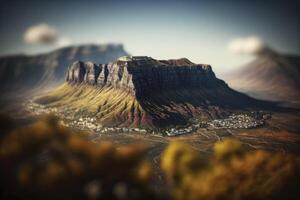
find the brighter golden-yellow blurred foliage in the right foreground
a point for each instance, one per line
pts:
(230, 173)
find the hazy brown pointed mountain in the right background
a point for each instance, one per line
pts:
(271, 76)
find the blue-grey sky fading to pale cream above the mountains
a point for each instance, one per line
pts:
(198, 30)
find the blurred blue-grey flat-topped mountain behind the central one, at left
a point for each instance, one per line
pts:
(21, 73)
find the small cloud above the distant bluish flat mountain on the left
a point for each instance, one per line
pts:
(40, 34)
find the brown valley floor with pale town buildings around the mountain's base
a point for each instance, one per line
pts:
(279, 131)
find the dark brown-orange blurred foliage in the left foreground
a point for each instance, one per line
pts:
(47, 161)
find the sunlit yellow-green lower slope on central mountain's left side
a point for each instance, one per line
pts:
(111, 107)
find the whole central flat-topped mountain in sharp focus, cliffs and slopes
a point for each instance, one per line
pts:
(144, 92)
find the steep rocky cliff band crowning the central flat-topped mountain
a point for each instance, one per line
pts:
(145, 76)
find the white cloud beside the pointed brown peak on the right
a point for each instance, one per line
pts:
(247, 45)
